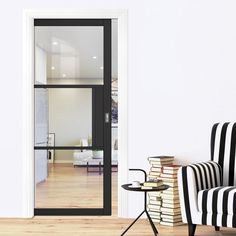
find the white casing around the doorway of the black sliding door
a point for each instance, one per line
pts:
(28, 99)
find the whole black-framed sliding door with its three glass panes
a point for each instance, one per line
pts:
(72, 116)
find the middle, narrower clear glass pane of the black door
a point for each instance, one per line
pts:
(65, 114)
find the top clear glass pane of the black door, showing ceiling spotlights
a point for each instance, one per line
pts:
(69, 54)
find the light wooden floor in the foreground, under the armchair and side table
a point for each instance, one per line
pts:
(99, 226)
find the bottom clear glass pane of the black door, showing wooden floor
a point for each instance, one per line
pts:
(63, 185)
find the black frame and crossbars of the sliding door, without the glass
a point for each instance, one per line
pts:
(106, 210)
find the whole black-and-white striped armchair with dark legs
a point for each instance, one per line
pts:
(208, 190)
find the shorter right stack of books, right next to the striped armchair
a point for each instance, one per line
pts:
(170, 208)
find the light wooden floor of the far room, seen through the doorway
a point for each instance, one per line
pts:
(69, 187)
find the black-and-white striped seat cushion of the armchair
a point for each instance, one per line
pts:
(219, 200)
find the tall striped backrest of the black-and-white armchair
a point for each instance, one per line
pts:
(223, 144)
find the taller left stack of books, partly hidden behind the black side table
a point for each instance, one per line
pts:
(155, 200)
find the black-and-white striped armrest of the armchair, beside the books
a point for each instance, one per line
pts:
(191, 180)
